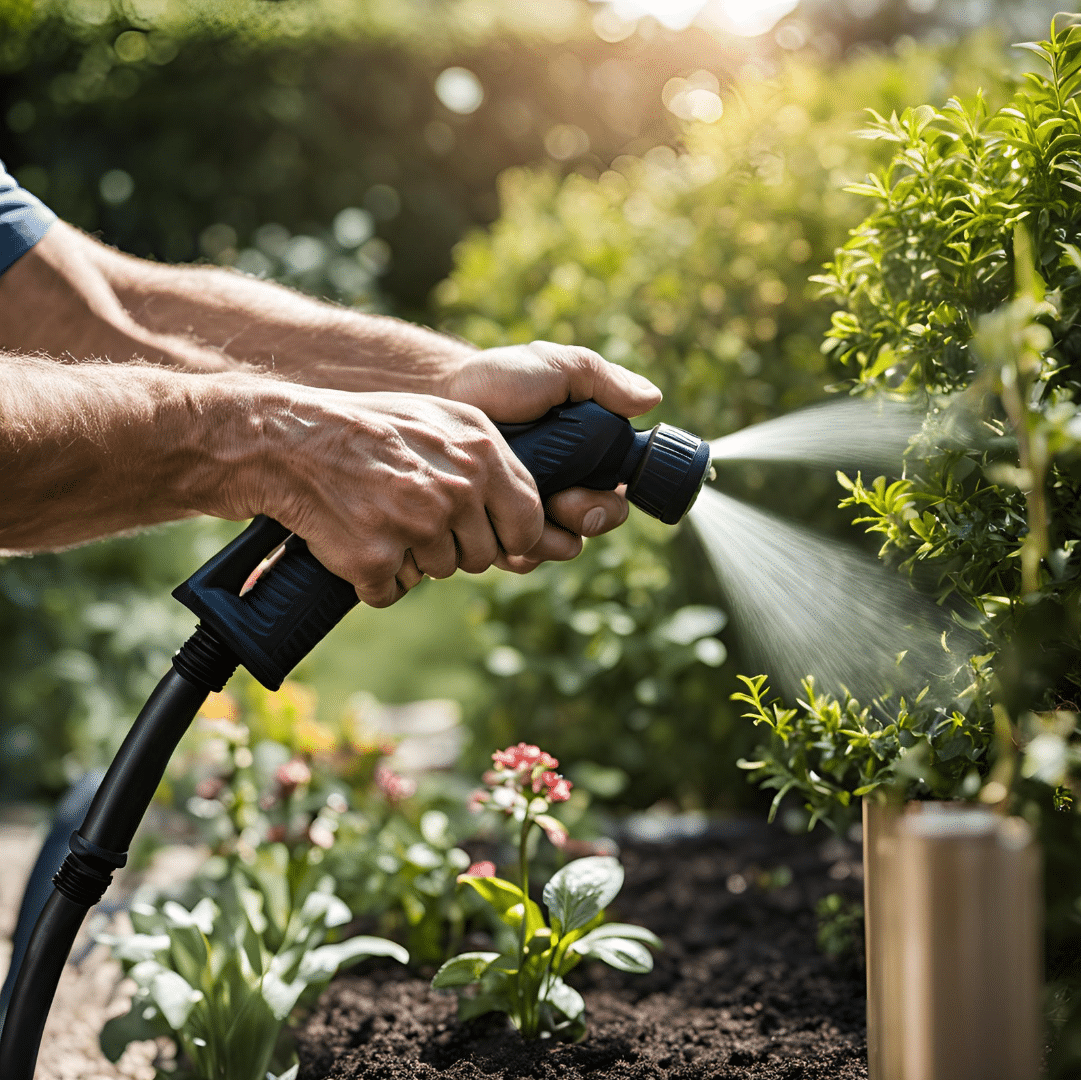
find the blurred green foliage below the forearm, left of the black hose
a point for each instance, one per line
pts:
(84, 638)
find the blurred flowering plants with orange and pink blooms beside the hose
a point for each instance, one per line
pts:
(260, 768)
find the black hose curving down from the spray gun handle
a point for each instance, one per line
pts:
(100, 847)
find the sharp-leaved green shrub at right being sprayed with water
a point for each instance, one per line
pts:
(966, 276)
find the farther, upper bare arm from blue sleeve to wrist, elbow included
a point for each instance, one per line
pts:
(76, 298)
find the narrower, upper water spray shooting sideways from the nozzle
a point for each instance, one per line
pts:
(845, 434)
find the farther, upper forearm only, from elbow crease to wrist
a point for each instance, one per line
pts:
(274, 328)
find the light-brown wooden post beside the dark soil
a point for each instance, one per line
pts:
(954, 941)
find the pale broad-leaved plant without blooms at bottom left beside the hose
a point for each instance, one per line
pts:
(222, 979)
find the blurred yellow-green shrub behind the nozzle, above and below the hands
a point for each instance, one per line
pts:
(692, 269)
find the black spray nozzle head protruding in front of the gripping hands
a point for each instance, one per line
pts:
(582, 445)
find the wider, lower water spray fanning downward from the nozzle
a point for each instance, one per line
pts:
(805, 605)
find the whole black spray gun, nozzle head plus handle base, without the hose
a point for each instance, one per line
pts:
(299, 602)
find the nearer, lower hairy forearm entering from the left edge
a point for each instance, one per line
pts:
(92, 450)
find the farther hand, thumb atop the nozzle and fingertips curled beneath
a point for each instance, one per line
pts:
(522, 383)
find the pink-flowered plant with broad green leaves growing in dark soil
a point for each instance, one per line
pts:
(526, 979)
